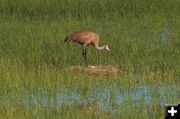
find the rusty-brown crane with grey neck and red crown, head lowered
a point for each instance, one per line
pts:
(86, 38)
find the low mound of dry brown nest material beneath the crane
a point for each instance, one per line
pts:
(98, 69)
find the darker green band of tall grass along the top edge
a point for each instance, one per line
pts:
(85, 8)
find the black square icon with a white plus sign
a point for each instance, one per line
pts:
(172, 111)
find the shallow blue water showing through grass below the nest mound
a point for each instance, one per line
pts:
(104, 97)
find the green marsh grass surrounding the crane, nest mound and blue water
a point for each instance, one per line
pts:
(145, 40)
